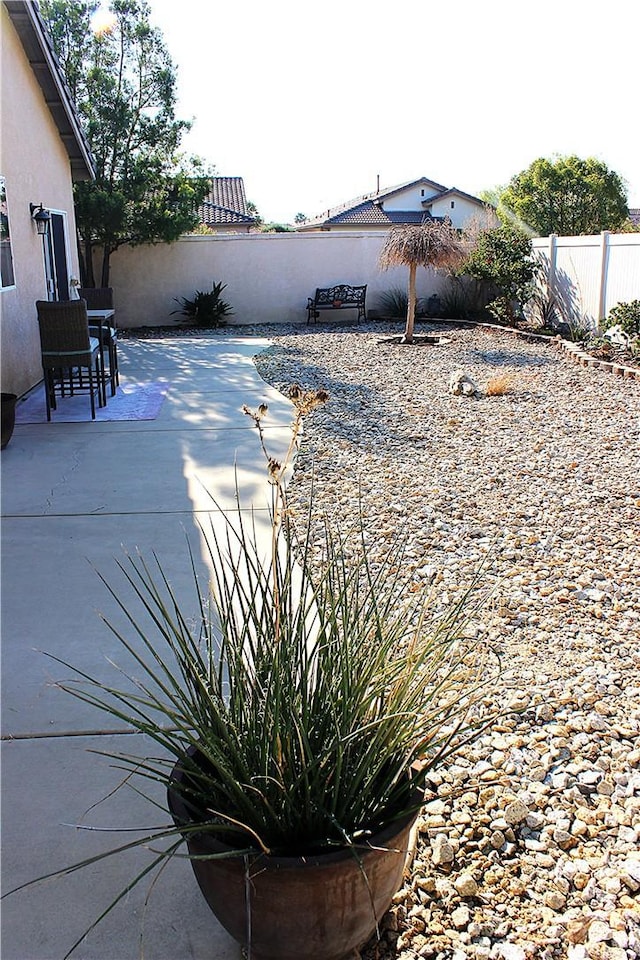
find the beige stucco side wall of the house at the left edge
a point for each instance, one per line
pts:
(36, 168)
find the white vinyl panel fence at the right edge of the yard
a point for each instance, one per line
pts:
(587, 276)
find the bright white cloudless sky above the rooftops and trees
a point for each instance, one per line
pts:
(312, 102)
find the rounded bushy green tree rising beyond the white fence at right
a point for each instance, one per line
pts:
(567, 196)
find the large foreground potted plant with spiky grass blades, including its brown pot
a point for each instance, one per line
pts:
(298, 719)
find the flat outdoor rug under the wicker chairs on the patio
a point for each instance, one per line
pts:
(133, 401)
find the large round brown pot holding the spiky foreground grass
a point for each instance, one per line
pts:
(319, 907)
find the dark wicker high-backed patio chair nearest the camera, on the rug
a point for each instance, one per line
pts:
(68, 351)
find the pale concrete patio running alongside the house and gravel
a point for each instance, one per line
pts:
(75, 496)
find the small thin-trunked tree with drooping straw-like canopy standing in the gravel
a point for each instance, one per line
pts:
(434, 243)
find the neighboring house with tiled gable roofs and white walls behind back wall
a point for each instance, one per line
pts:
(407, 203)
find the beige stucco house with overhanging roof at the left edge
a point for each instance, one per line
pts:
(42, 151)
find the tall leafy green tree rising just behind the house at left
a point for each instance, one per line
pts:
(124, 86)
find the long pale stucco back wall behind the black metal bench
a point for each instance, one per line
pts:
(268, 276)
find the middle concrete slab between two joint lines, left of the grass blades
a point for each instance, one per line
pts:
(65, 618)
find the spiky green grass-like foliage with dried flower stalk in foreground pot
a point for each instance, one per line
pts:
(316, 687)
